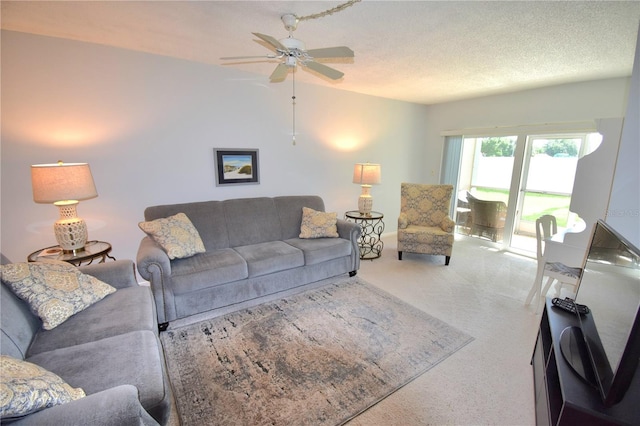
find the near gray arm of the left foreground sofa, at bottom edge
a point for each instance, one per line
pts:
(118, 406)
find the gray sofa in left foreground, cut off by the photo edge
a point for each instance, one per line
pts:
(111, 350)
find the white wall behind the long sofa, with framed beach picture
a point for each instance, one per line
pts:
(148, 124)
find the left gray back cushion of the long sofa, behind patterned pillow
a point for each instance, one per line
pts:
(207, 216)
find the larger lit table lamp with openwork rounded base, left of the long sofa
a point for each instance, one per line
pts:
(64, 185)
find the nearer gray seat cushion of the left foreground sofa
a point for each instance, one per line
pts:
(133, 358)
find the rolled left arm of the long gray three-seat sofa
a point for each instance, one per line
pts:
(154, 266)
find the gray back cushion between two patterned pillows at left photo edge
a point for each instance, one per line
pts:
(19, 325)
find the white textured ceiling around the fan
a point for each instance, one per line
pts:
(418, 51)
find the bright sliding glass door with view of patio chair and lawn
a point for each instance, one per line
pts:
(514, 179)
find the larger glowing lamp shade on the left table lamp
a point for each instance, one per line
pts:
(61, 182)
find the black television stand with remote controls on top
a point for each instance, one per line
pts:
(562, 397)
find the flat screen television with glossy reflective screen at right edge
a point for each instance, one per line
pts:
(610, 287)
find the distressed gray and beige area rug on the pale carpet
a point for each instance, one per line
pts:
(316, 358)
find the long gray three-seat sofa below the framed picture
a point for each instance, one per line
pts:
(253, 250)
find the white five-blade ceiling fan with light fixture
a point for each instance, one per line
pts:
(293, 52)
